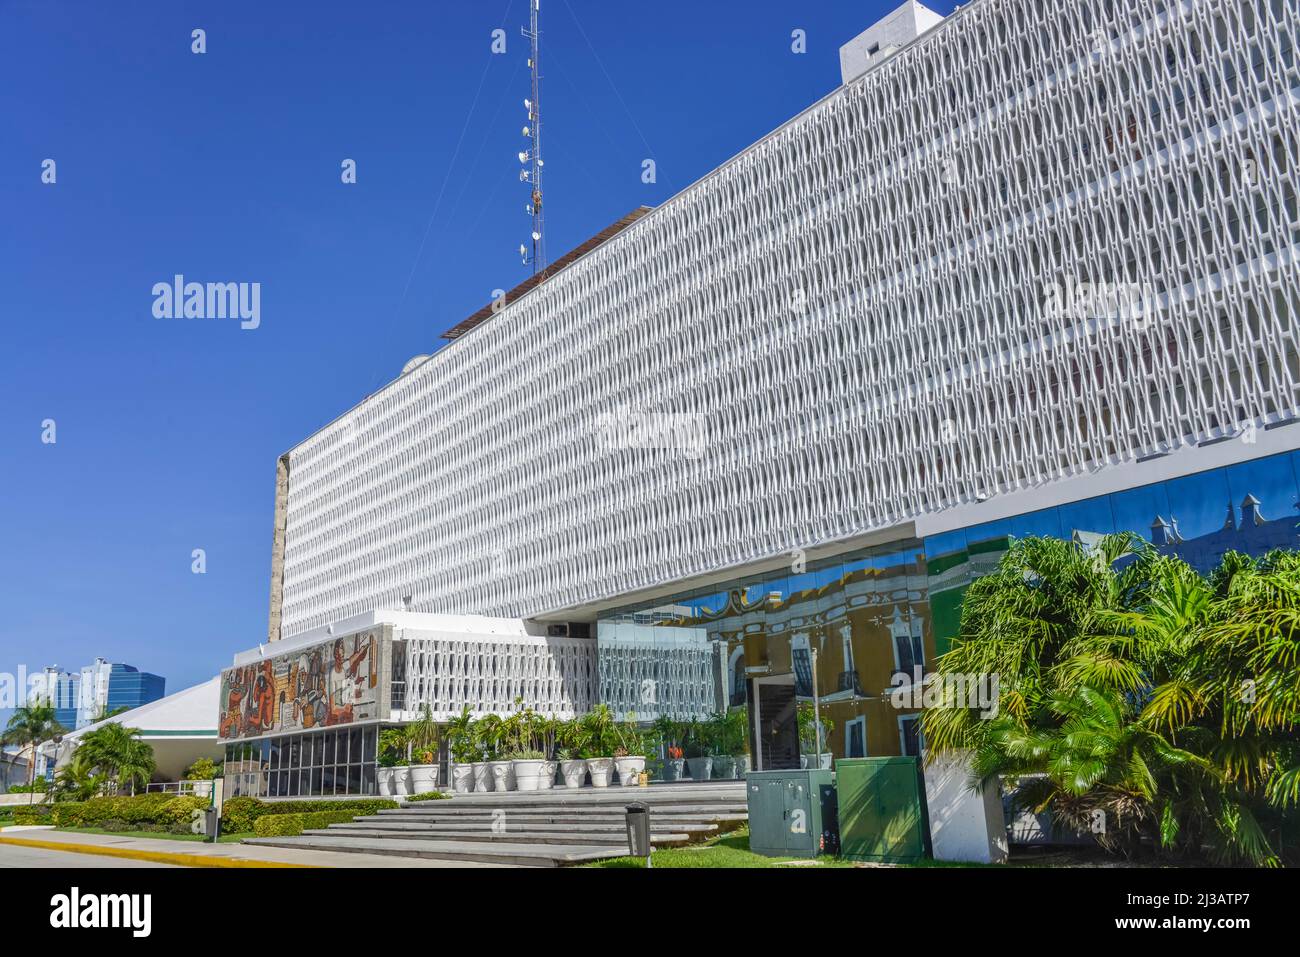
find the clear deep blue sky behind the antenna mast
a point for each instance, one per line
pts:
(226, 167)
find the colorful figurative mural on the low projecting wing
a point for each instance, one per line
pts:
(318, 687)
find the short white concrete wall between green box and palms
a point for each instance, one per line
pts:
(964, 825)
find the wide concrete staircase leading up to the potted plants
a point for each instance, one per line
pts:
(543, 829)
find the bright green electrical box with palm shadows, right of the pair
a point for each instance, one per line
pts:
(882, 811)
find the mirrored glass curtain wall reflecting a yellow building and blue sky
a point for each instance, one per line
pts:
(879, 618)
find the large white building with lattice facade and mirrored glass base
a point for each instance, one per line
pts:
(1032, 270)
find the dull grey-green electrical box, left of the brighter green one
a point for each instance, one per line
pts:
(786, 812)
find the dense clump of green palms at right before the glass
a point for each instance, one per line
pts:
(1133, 686)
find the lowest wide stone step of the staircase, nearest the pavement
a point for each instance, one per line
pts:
(486, 852)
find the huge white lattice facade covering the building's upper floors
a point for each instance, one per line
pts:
(857, 311)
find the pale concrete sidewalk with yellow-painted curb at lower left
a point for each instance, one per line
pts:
(197, 855)
